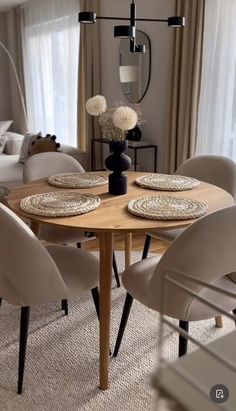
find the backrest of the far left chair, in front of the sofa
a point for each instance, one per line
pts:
(45, 164)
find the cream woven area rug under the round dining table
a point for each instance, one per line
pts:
(62, 357)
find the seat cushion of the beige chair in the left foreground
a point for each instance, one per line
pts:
(79, 269)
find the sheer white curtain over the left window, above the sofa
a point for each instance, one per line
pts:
(51, 53)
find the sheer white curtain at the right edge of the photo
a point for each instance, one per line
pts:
(217, 105)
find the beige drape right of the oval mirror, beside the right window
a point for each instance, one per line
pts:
(185, 78)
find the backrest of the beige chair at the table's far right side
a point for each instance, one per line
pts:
(217, 170)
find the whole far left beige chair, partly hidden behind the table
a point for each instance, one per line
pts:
(46, 164)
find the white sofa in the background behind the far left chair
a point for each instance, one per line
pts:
(11, 171)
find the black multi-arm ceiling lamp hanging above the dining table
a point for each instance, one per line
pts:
(128, 31)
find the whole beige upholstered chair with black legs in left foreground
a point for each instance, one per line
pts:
(31, 274)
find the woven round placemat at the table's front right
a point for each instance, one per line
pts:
(167, 207)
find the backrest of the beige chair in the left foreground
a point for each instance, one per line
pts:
(28, 274)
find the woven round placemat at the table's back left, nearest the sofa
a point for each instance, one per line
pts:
(77, 180)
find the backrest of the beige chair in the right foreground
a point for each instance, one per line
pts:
(205, 250)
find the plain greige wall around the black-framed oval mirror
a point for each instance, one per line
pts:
(154, 103)
